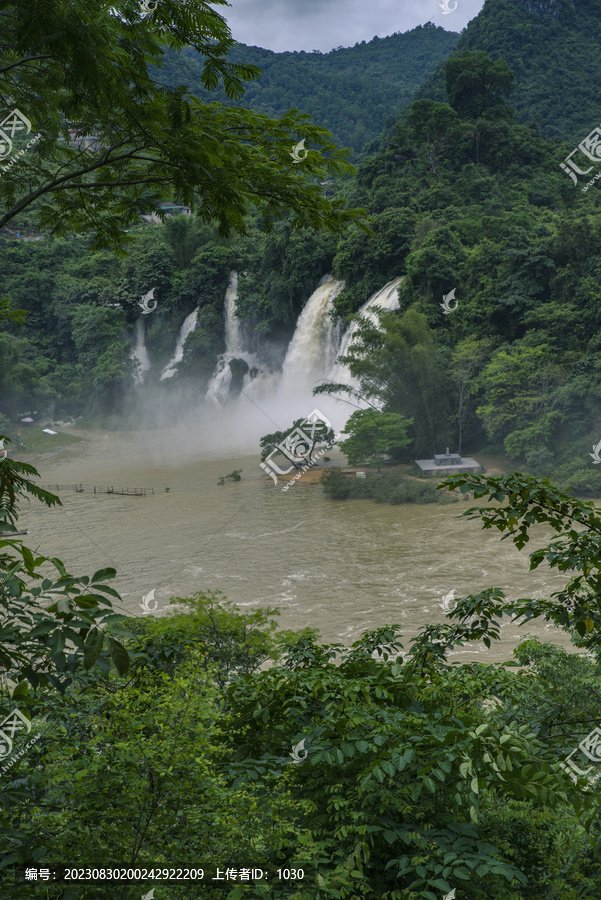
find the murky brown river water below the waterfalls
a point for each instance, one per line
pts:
(340, 566)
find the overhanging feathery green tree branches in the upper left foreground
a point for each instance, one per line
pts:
(113, 143)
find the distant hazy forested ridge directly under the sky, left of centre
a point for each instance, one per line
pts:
(351, 91)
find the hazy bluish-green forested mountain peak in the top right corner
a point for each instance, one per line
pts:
(554, 49)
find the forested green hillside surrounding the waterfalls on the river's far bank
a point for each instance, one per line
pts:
(462, 197)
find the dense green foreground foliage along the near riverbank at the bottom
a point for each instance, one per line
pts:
(405, 781)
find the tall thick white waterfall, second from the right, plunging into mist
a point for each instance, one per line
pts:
(313, 349)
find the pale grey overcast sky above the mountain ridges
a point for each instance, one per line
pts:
(326, 24)
